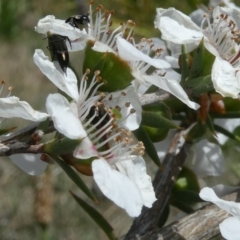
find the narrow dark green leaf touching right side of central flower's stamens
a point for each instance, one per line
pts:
(142, 135)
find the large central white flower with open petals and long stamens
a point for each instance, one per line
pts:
(102, 122)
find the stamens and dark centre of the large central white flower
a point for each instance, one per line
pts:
(101, 123)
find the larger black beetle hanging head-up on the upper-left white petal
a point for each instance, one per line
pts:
(58, 46)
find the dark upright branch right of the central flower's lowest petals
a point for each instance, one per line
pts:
(163, 183)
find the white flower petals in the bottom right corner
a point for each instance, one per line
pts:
(230, 227)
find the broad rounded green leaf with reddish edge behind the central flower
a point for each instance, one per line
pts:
(115, 72)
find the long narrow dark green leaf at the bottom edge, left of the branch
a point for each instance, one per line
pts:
(96, 216)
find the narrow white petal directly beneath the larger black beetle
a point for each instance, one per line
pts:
(65, 82)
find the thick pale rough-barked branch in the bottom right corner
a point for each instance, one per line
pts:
(202, 224)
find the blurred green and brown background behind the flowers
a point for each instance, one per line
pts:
(20, 194)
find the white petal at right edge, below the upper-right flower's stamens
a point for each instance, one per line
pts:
(226, 80)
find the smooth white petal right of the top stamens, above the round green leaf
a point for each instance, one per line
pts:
(130, 53)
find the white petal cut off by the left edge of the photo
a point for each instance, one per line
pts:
(12, 107)
